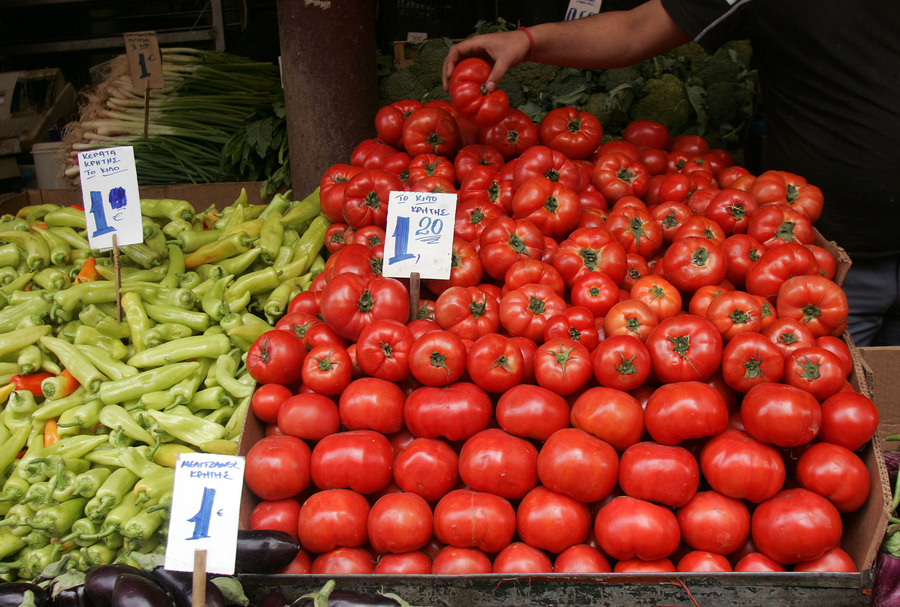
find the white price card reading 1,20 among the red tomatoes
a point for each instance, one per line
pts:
(419, 234)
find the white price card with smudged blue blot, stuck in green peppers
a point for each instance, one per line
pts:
(112, 200)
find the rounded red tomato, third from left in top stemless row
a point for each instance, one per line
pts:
(371, 403)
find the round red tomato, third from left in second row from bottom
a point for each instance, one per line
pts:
(399, 522)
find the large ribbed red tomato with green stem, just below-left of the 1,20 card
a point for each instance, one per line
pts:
(351, 302)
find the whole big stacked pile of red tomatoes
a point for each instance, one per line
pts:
(635, 364)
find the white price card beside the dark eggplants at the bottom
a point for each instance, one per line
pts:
(205, 507)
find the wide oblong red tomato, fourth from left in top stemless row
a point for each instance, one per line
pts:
(455, 412)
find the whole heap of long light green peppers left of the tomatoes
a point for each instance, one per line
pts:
(99, 396)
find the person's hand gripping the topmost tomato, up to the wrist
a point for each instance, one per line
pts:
(501, 49)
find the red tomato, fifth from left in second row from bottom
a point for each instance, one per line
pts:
(552, 521)
